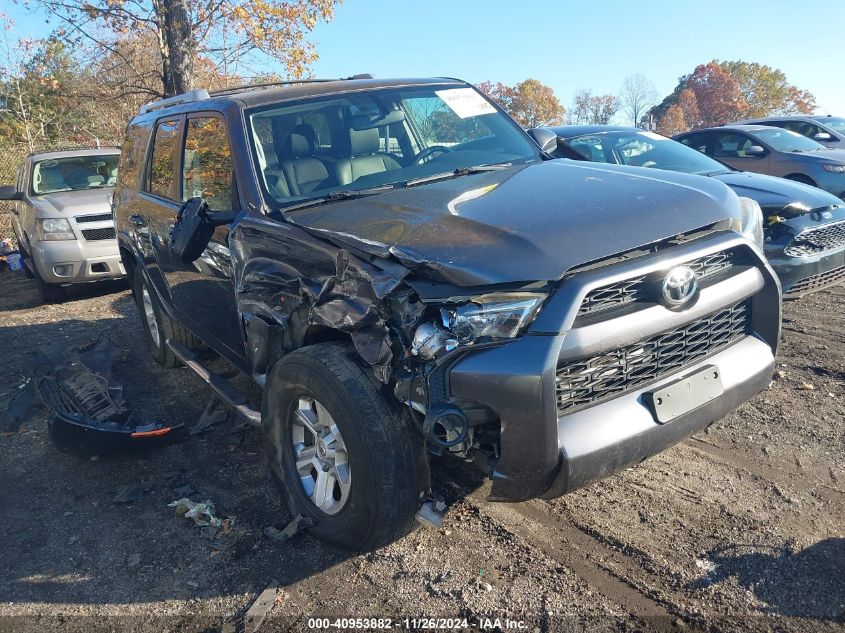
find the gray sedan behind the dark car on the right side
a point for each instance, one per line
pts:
(773, 151)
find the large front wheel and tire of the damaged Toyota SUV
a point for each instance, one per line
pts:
(341, 454)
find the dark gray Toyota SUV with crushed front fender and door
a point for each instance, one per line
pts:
(404, 271)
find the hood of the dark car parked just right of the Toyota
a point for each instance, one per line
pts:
(779, 195)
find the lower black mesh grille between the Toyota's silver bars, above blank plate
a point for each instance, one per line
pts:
(582, 383)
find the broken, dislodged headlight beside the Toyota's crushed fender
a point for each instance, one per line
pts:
(491, 317)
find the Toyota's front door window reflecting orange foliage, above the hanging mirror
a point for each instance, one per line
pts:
(207, 170)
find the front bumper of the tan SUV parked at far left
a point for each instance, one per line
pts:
(77, 261)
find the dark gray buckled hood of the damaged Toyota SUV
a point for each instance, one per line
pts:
(524, 224)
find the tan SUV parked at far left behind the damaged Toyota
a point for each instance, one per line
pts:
(62, 218)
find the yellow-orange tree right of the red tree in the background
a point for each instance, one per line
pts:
(766, 91)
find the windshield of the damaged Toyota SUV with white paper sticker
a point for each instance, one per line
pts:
(309, 149)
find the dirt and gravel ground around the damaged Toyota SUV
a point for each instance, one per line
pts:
(739, 528)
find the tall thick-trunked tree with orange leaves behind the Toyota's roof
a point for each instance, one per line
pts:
(225, 32)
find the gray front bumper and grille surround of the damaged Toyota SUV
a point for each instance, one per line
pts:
(544, 454)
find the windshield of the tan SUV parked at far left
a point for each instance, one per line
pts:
(74, 173)
